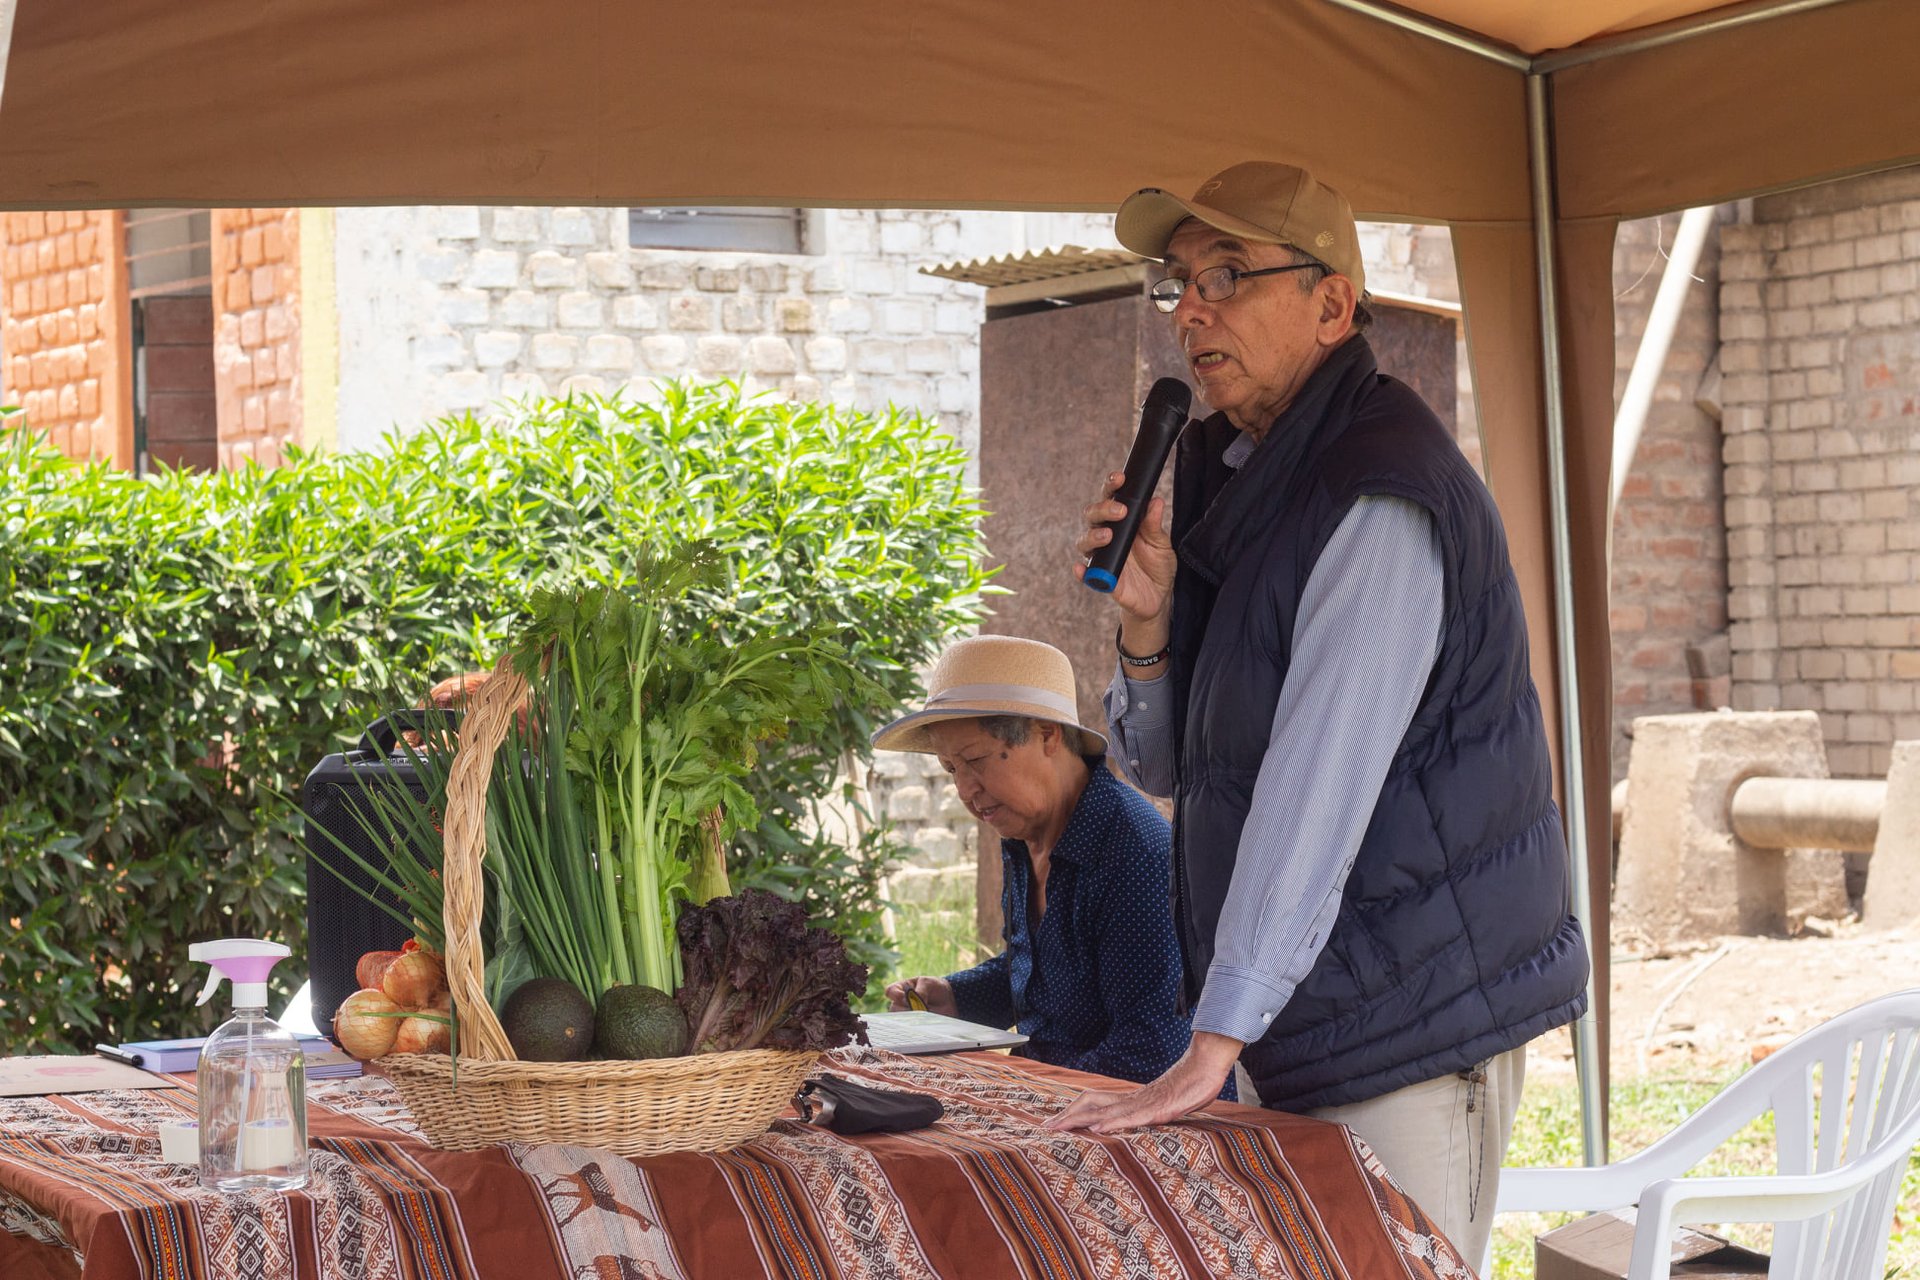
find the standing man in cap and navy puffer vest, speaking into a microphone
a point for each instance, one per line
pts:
(1324, 661)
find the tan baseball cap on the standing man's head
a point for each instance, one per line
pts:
(1257, 201)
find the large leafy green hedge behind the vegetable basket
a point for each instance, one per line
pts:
(178, 653)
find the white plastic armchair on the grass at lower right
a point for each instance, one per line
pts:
(1846, 1101)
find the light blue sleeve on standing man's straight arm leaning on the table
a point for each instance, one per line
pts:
(1366, 640)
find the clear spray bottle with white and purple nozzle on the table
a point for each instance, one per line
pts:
(252, 1079)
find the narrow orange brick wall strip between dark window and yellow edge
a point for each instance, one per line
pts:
(256, 333)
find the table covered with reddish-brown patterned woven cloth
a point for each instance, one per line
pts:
(980, 1197)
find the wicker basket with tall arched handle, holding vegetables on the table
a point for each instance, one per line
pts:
(702, 1102)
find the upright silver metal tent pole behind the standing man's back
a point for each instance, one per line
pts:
(1547, 249)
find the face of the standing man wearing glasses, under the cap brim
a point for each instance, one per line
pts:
(1251, 354)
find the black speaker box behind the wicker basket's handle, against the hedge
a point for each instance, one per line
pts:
(343, 924)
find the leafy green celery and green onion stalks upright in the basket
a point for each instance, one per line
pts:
(646, 721)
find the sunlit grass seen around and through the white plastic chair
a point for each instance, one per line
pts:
(1547, 1133)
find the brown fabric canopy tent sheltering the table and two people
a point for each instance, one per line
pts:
(1529, 126)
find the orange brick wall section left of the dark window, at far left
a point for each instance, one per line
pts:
(64, 331)
